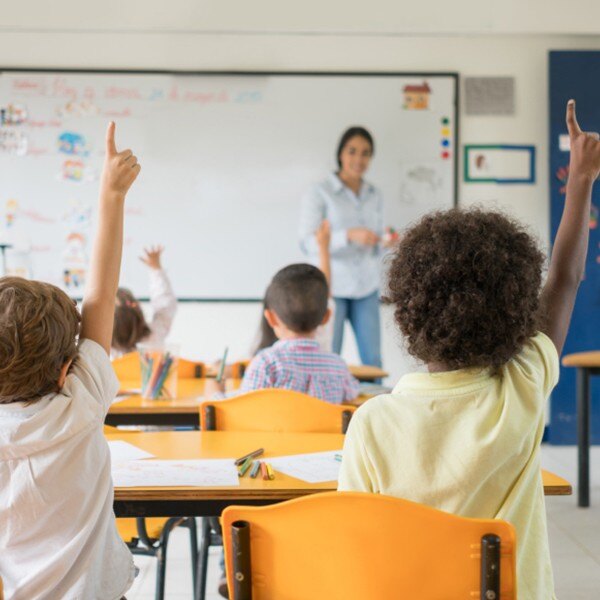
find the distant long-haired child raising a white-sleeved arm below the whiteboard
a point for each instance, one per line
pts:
(130, 327)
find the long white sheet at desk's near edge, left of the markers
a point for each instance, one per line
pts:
(176, 473)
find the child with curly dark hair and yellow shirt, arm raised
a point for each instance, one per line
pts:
(465, 436)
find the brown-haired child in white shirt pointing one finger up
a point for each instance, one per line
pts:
(58, 537)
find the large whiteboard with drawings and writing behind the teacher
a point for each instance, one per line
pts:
(226, 160)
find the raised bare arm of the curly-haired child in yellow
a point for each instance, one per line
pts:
(567, 265)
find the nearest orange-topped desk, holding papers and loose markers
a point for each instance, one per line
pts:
(205, 501)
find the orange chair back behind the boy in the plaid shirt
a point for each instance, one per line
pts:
(276, 411)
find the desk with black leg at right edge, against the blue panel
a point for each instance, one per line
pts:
(587, 364)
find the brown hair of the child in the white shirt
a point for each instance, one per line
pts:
(39, 325)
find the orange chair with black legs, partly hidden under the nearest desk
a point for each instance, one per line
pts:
(150, 536)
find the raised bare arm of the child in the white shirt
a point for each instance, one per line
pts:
(120, 171)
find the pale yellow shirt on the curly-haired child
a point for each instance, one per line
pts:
(467, 443)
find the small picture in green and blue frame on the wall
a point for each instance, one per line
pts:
(496, 163)
